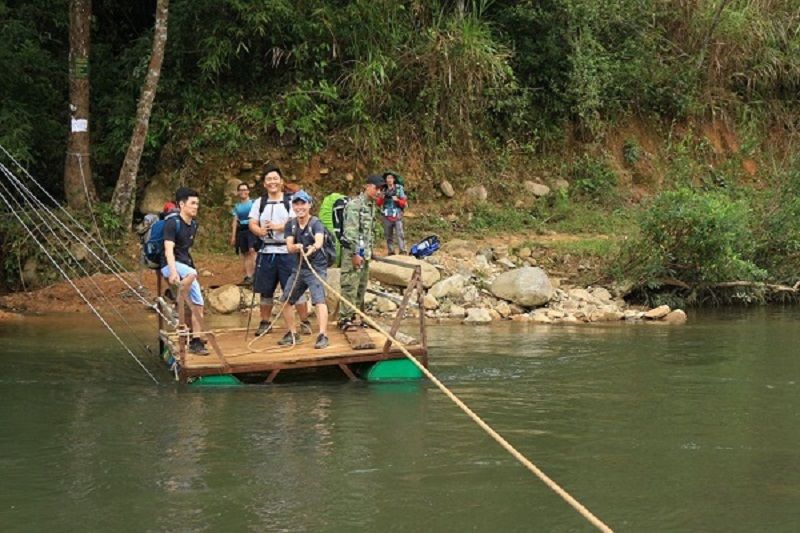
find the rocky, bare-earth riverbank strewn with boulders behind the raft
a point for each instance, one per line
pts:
(474, 282)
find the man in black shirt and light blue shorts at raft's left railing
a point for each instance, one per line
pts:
(177, 265)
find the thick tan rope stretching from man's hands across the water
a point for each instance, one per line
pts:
(599, 524)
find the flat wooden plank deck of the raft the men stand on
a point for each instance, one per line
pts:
(235, 355)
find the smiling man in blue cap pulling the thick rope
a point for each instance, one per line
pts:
(305, 235)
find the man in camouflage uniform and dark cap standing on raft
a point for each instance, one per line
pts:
(359, 223)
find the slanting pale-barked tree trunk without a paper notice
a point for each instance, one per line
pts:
(125, 192)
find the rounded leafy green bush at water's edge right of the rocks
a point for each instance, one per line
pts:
(697, 237)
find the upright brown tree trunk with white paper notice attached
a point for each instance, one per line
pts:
(78, 185)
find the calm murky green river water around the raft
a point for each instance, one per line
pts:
(653, 428)
